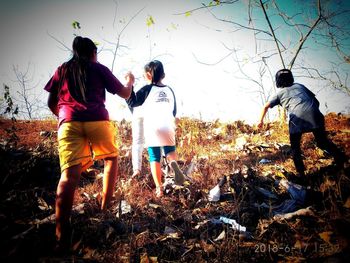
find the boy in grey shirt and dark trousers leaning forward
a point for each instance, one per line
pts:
(304, 116)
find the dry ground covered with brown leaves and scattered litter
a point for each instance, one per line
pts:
(274, 219)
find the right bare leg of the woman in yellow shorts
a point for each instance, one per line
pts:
(109, 181)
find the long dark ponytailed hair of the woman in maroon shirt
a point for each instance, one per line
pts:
(75, 70)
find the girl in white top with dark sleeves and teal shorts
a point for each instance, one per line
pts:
(159, 111)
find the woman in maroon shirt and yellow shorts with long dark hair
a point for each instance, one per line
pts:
(77, 97)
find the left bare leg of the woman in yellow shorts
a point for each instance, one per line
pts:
(64, 199)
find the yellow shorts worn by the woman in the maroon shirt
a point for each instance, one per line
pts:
(82, 142)
